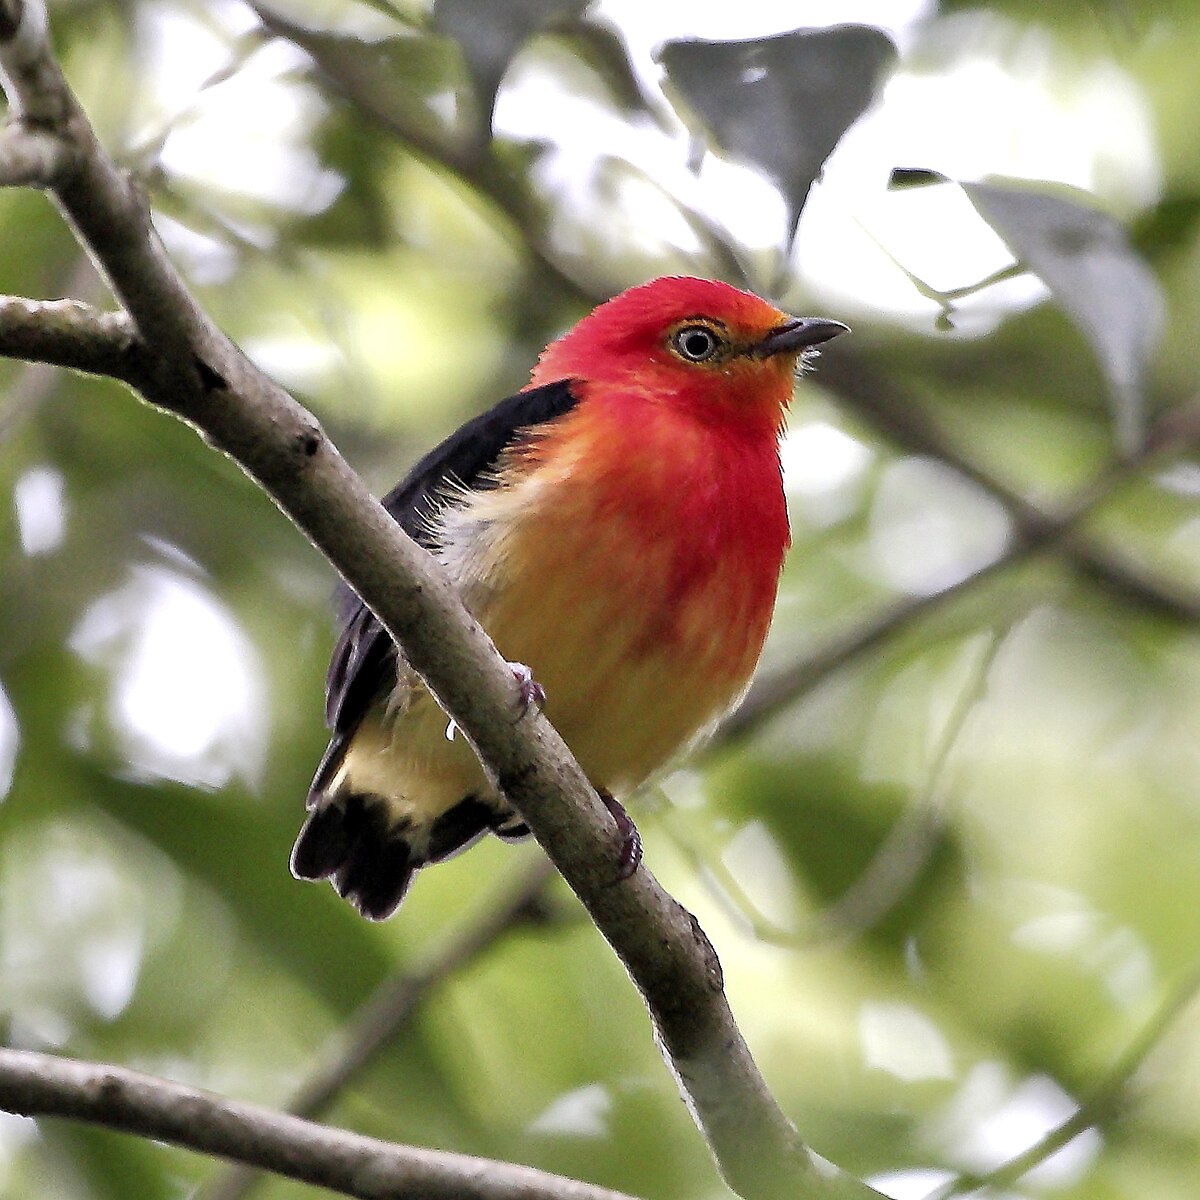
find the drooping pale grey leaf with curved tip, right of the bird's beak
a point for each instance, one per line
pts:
(1085, 259)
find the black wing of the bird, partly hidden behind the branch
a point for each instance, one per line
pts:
(365, 656)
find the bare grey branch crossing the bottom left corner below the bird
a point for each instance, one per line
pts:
(43, 1085)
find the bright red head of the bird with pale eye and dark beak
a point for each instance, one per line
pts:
(689, 341)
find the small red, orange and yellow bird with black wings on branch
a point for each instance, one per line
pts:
(619, 529)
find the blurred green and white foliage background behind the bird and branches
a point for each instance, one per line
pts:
(1016, 769)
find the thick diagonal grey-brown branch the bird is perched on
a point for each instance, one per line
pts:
(195, 373)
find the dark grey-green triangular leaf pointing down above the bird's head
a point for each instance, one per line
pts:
(782, 104)
